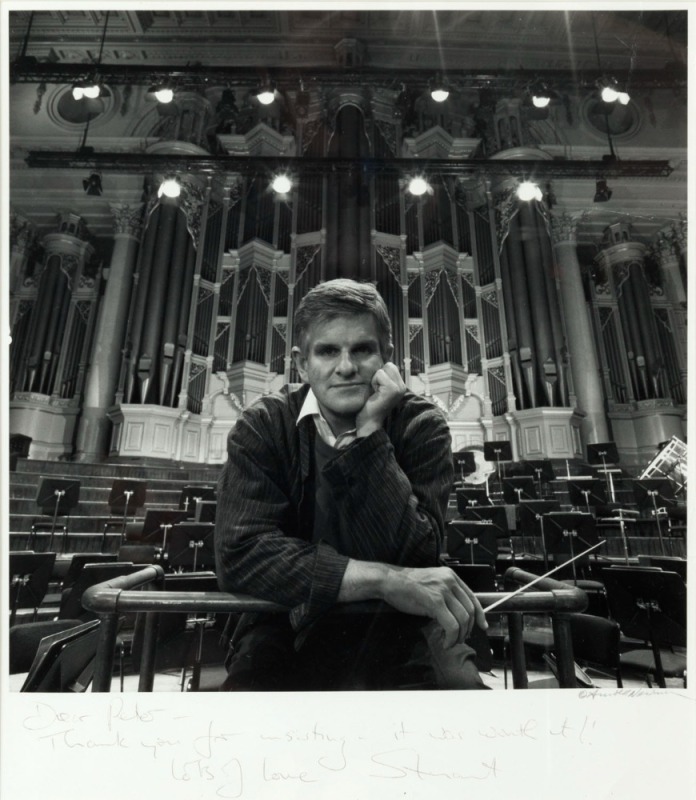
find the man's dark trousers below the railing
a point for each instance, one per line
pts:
(349, 653)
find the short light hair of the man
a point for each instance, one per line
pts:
(339, 298)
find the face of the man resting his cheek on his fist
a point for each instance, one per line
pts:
(338, 361)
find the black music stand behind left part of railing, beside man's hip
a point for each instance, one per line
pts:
(192, 643)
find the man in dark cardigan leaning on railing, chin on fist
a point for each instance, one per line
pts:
(334, 494)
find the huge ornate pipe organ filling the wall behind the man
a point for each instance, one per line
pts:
(482, 293)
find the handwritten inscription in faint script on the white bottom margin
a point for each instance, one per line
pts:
(222, 760)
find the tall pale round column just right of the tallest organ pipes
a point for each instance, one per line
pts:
(581, 347)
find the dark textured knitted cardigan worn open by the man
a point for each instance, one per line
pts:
(391, 488)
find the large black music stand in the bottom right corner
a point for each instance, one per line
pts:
(649, 604)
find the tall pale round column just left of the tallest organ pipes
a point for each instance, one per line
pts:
(102, 377)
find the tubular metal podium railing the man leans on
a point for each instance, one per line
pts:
(127, 595)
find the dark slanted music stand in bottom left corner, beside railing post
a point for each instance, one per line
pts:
(64, 661)
